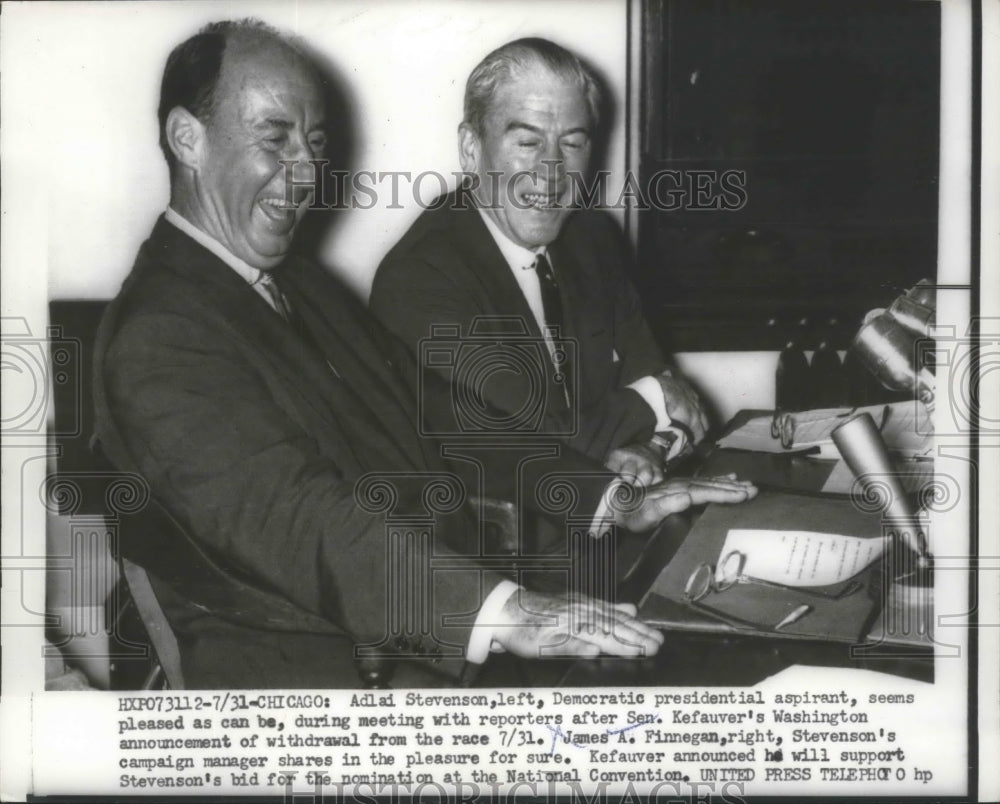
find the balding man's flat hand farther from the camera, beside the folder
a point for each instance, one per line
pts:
(679, 494)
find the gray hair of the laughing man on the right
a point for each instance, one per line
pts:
(512, 59)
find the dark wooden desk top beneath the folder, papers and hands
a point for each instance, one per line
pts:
(694, 659)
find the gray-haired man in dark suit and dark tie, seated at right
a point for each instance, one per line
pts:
(512, 246)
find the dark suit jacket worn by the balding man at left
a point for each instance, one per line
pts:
(253, 446)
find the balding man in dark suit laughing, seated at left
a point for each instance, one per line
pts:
(259, 415)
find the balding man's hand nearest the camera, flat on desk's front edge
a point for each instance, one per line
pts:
(536, 625)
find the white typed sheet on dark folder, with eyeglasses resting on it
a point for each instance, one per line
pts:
(801, 557)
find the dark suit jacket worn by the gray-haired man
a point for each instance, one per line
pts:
(447, 269)
